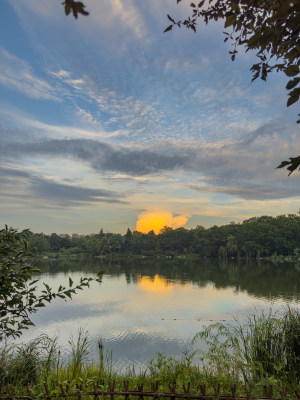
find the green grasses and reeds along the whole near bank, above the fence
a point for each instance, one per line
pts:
(264, 350)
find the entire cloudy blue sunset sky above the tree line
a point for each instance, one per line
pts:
(106, 121)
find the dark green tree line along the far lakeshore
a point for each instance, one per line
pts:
(256, 237)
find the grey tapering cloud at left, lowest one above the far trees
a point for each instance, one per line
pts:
(51, 193)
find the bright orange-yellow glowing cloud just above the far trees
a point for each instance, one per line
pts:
(157, 220)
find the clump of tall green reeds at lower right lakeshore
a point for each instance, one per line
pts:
(264, 349)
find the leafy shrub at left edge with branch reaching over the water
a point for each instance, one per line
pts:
(19, 297)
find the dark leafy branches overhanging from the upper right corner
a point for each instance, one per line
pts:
(269, 27)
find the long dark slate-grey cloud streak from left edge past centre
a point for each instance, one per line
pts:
(100, 156)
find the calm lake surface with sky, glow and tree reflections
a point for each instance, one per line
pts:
(148, 307)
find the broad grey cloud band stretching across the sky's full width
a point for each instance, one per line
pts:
(244, 168)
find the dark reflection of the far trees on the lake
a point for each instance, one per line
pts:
(263, 279)
